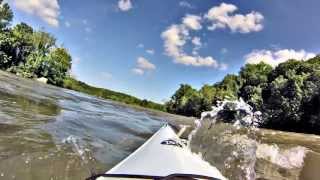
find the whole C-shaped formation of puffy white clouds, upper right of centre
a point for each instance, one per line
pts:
(177, 36)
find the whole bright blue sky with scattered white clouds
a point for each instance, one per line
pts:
(146, 48)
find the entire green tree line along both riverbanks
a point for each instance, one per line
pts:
(287, 95)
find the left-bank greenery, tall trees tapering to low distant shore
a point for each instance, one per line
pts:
(35, 54)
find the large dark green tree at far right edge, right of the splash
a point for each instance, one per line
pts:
(291, 99)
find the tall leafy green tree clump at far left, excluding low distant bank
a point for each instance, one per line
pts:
(31, 53)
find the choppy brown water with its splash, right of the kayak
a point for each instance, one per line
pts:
(242, 151)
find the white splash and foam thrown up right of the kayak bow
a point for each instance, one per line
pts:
(241, 151)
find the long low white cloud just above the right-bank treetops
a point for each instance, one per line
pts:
(276, 57)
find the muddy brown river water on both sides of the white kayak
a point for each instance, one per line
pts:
(52, 133)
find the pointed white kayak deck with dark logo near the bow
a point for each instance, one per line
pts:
(163, 155)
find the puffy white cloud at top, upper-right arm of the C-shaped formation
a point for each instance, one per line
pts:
(222, 17)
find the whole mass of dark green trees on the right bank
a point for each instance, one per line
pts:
(288, 95)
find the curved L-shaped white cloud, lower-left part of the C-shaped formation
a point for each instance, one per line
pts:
(175, 37)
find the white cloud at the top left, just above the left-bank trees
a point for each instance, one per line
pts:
(47, 10)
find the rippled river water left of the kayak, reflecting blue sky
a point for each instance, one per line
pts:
(52, 133)
